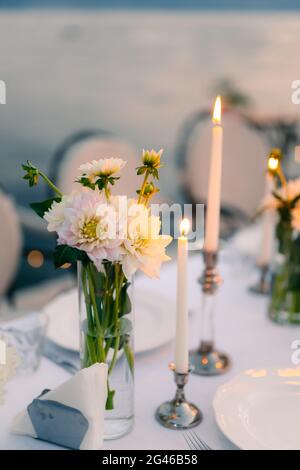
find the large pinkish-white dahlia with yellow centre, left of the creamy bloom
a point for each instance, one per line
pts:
(90, 225)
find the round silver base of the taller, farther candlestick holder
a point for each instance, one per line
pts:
(206, 361)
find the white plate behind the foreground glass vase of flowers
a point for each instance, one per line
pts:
(154, 320)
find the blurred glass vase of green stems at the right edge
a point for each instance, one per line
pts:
(284, 307)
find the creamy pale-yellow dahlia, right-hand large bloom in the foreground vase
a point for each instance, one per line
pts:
(143, 248)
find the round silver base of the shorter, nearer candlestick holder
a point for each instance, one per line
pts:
(178, 415)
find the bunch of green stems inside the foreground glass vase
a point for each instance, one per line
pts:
(105, 308)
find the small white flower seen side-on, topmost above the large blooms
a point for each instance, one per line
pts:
(104, 167)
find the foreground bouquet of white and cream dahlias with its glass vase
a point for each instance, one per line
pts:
(110, 237)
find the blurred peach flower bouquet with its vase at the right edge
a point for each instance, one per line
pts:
(285, 200)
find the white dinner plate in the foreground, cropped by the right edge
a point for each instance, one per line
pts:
(260, 409)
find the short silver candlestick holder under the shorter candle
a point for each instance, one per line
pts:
(178, 413)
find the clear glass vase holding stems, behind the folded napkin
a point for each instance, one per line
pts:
(106, 335)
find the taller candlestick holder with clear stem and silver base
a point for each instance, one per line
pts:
(206, 359)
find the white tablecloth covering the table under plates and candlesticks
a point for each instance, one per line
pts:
(242, 330)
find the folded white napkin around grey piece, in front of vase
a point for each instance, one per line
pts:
(86, 391)
